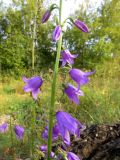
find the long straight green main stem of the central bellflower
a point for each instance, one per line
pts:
(53, 91)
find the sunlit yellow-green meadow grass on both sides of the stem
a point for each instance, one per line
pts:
(101, 103)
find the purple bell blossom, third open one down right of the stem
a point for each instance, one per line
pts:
(73, 93)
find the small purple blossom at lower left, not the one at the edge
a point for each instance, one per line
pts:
(19, 131)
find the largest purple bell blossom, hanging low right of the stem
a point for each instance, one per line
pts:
(68, 125)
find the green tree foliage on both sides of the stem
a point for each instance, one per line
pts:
(16, 36)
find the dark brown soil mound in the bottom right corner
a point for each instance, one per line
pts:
(98, 142)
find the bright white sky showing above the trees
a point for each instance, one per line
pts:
(69, 6)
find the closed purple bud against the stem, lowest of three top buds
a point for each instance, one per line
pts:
(56, 33)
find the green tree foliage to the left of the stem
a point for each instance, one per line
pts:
(16, 38)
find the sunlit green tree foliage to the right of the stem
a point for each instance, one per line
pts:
(102, 41)
